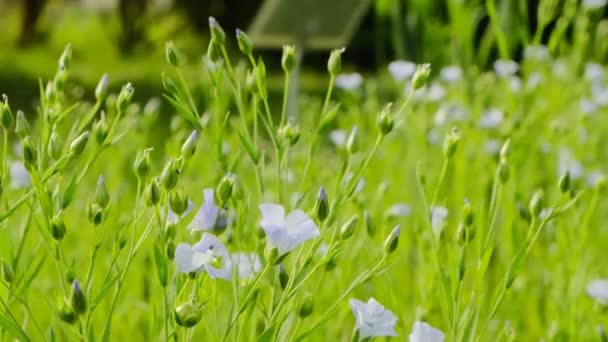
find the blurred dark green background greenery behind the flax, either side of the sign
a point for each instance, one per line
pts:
(126, 37)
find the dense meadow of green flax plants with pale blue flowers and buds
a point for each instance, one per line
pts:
(424, 204)
